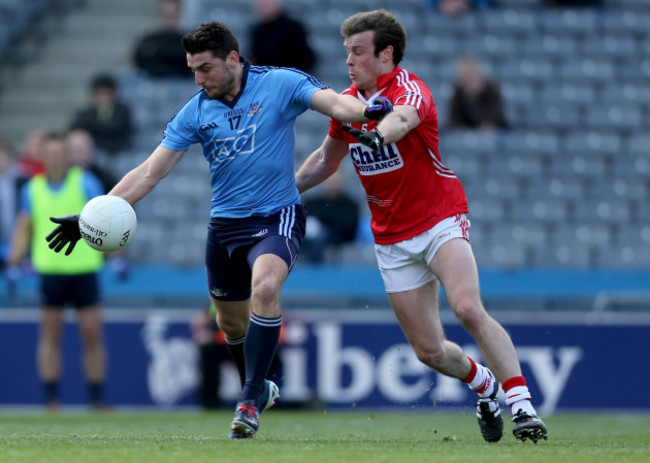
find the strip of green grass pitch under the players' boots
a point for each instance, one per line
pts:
(308, 436)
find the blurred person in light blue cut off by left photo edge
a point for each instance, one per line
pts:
(9, 186)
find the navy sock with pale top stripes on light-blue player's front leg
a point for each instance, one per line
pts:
(261, 343)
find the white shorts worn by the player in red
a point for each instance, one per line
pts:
(404, 266)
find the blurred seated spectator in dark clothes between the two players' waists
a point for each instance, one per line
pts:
(332, 219)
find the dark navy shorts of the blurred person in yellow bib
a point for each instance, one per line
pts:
(79, 290)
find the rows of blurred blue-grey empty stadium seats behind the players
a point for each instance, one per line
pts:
(566, 187)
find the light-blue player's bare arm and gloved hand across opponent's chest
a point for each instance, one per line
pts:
(348, 108)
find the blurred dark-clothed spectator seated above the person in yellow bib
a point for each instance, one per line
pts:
(106, 118)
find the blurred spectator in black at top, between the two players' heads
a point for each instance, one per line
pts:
(278, 40)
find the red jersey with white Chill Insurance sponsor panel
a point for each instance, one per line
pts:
(408, 188)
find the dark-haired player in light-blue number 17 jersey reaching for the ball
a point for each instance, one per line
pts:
(244, 119)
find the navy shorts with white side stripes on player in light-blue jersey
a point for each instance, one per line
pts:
(233, 245)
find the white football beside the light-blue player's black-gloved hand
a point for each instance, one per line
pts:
(107, 223)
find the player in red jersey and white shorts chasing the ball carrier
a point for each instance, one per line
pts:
(419, 224)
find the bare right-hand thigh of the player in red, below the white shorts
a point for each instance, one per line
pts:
(454, 265)
